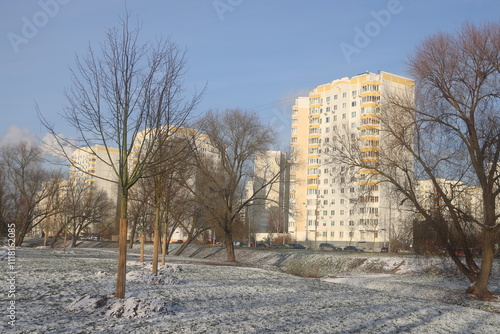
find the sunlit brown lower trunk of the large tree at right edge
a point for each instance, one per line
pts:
(479, 288)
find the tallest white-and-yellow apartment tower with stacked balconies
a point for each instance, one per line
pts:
(336, 203)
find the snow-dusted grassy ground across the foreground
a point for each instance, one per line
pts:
(57, 292)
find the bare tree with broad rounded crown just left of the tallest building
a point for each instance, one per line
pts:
(236, 138)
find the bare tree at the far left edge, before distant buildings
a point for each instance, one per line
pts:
(29, 190)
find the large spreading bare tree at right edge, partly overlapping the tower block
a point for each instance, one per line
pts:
(450, 133)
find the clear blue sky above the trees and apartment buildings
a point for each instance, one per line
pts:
(253, 54)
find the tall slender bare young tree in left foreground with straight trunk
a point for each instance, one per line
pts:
(127, 96)
